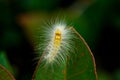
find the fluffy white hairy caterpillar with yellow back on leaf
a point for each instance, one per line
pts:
(57, 41)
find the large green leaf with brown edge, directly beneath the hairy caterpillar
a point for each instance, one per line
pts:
(82, 66)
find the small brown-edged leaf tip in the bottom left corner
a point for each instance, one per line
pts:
(5, 74)
